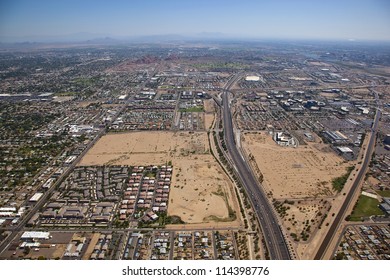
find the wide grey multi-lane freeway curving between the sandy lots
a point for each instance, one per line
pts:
(272, 232)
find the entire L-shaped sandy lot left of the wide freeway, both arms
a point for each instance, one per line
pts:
(198, 183)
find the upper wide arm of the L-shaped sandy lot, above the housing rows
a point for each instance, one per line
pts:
(144, 148)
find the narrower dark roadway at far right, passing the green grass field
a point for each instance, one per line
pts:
(355, 186)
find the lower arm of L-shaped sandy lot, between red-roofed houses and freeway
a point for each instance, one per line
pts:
(198, 186)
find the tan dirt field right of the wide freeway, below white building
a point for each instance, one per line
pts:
(300, 172)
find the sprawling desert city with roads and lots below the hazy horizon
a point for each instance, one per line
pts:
(201, 147)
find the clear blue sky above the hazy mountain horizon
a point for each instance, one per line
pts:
(296, 19)
